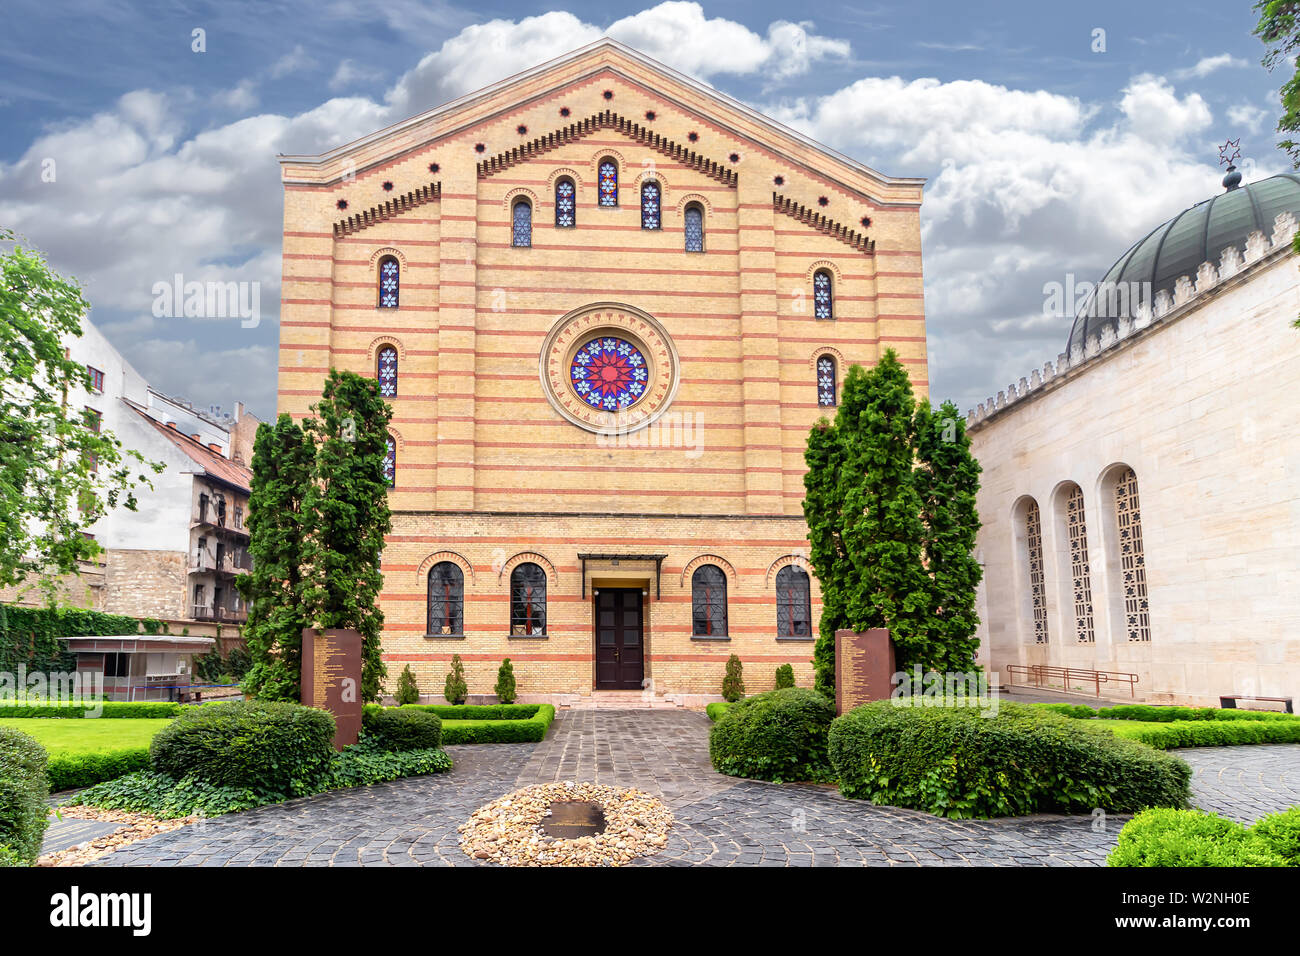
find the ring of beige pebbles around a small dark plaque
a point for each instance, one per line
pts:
(509, 830)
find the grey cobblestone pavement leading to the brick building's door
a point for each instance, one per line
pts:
(721, 821)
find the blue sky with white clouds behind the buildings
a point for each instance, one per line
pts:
(1045, 158)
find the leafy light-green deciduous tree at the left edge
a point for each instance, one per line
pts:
(59, 473)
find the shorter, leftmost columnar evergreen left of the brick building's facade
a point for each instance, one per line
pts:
(283, 462)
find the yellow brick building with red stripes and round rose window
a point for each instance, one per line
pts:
(608, 304)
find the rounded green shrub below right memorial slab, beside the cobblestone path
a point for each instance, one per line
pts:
(781, 736)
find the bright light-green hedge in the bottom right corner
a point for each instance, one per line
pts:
(1193, 838)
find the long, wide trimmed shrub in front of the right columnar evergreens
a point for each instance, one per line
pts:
(972, 763)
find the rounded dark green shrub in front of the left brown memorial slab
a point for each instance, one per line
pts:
(262, 746)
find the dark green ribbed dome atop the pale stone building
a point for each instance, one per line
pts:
(1181, 245)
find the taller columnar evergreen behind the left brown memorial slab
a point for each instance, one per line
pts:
(346, 517)
